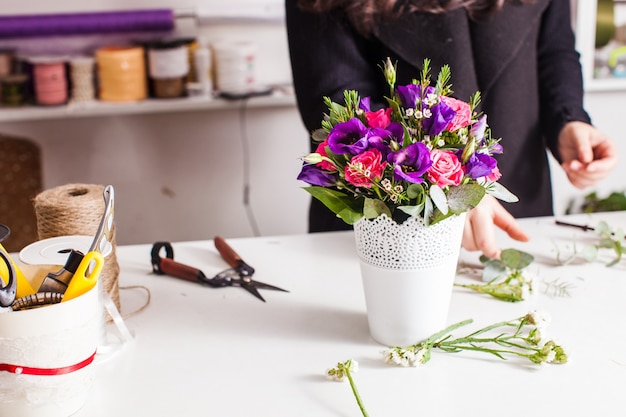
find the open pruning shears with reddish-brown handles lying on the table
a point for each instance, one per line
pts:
(238, 275)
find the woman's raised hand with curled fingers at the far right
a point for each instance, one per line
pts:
(588, 155)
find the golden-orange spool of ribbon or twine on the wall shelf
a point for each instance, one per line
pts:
(121, 73)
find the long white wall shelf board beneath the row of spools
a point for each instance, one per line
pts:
(100, 108)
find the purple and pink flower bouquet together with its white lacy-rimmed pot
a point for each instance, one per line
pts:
(405, 175)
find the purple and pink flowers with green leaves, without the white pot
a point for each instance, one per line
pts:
(425, 154)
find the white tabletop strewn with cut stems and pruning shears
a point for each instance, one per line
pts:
(200, 351)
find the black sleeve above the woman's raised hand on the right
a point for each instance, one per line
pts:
(560, 75)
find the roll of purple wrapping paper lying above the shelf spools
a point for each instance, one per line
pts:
(23, 26)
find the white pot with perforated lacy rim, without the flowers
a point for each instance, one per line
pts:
(408, 274)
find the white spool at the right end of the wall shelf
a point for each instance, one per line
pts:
(234, 66)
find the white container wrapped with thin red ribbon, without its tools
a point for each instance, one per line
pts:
(46, 356)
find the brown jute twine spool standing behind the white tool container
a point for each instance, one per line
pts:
(77, 209)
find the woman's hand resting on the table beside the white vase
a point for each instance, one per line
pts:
(479, 232)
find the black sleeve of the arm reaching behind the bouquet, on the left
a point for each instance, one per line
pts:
(327, 57)
